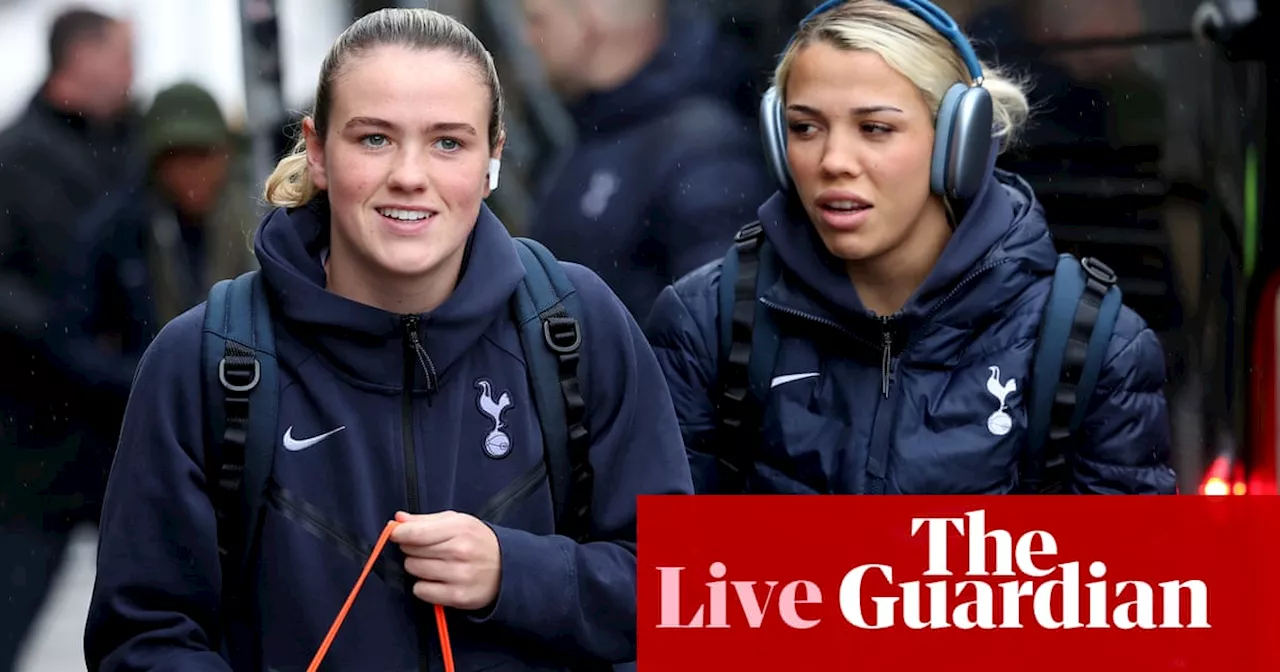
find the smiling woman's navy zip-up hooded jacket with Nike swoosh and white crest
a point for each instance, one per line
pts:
(365, 435)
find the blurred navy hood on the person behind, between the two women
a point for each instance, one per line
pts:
(693, 61)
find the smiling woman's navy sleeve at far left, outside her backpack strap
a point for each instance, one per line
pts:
(156, 604)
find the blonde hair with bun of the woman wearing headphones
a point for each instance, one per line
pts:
(916, 51)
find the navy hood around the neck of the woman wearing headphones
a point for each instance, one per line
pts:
(1003, 239)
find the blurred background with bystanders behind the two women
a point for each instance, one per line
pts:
(1149, 152)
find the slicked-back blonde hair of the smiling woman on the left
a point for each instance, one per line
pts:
(291, 185)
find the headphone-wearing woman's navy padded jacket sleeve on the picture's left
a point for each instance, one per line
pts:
(683, 330)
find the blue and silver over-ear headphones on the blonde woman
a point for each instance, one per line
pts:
(963, 135)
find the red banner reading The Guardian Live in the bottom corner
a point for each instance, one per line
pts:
(959, 583)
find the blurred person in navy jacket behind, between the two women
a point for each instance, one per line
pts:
(668, 164)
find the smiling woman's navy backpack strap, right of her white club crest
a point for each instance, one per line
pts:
(547, 312)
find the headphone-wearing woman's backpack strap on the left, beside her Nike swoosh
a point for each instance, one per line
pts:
(748, 348)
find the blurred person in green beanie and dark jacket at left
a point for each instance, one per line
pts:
(149, 253)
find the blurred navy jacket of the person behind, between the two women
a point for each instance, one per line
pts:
(664, 172)
